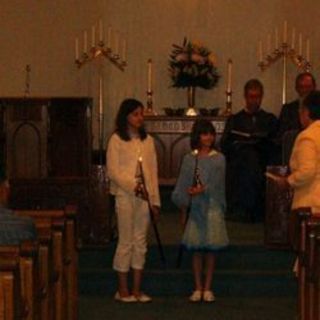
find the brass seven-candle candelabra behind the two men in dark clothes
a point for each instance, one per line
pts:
(285, 51)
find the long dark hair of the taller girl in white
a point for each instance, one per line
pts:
(126, 107)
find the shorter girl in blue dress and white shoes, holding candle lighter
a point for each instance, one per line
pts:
(200, 195)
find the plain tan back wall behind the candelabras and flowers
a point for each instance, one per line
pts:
(42, 33)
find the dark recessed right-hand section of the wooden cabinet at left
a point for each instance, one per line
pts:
(69, 147)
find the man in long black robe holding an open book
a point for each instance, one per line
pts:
(247, 143)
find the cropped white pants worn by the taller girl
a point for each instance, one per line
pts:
(133, 222)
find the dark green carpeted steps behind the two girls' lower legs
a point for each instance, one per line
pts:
(247, 271)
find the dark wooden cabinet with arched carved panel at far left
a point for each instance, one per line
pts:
(46, 137)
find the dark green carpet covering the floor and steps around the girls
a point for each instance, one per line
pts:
(250, 281)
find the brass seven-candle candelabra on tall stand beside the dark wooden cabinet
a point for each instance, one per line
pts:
(99, 50)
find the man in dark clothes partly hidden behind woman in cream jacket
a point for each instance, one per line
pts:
(289, 124)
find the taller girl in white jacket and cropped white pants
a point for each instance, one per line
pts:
(127, 145)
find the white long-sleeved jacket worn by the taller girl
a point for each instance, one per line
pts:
(122, 160)
